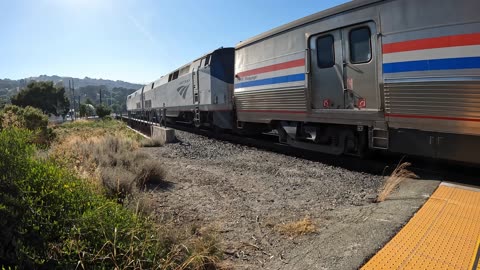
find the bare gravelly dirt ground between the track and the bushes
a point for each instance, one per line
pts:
(244, 194)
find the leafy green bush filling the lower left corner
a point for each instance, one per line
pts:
(52, 220)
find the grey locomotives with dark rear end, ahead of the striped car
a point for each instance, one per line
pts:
(199, 93)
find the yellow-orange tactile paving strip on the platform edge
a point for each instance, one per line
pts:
(444, 234)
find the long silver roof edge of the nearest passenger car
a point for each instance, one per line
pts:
(306, 20)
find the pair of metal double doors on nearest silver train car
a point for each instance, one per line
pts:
(343, 70)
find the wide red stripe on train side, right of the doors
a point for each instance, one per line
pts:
(433, 43)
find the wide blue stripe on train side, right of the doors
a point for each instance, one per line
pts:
(436, 64)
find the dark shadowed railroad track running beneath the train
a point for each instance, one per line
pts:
(376, 163)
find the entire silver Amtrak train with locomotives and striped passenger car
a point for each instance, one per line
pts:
(398, 76)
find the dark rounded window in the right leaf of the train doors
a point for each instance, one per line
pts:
(360, 45)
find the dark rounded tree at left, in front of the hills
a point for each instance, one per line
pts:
(44, 96)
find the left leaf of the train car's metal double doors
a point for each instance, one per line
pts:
(326, 81)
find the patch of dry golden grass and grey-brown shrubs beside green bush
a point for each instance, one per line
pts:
(106, 154)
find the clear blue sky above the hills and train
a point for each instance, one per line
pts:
(131, 40)
